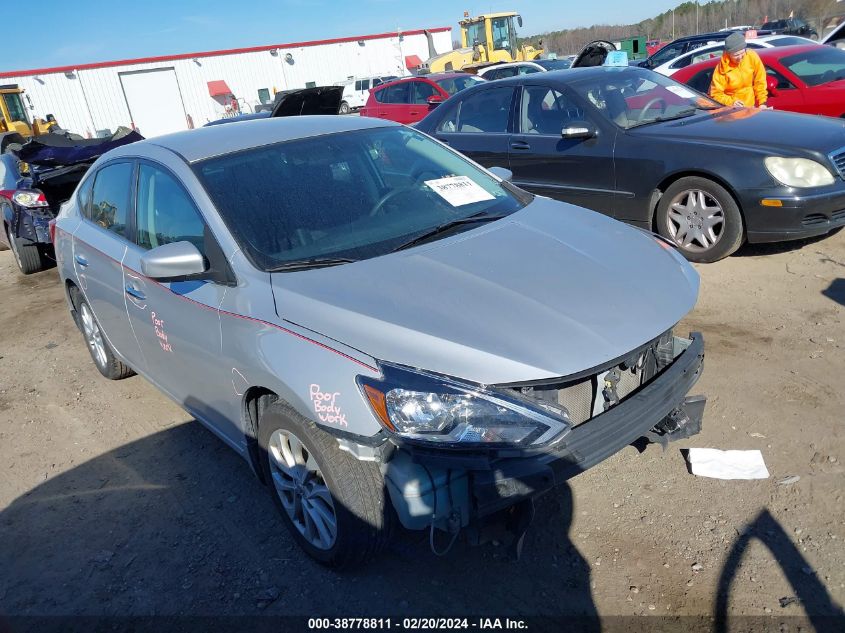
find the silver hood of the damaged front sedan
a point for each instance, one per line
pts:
(548, 291)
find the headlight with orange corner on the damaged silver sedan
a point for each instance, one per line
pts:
(425, 407)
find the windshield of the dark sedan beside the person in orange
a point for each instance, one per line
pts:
(637, 97)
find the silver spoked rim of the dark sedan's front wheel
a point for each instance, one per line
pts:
(695, 220)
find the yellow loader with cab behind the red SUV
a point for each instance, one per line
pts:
(485, 40)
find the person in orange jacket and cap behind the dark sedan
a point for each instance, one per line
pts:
(740, 78)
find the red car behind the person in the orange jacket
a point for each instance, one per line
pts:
(808, 78)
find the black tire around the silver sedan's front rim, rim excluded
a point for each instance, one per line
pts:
(364, 515)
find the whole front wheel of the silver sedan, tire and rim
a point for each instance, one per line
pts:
(334, 505)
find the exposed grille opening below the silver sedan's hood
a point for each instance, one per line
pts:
(589, 395)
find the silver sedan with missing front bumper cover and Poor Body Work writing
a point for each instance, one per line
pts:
(382, 329)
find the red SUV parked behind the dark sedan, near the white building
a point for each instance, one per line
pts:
(410, 100)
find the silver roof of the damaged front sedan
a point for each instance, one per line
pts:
(205, 142)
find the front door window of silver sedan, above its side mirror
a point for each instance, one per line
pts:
(165, 213)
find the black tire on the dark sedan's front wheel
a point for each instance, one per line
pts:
(729, 233)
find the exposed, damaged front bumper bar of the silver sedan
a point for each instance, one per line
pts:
(449, 490)
